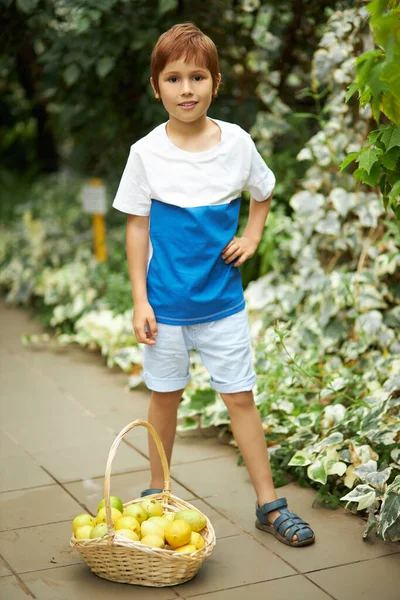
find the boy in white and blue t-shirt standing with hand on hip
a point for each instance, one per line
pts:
(181, 189)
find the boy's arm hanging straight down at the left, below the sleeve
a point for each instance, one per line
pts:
(137, 248)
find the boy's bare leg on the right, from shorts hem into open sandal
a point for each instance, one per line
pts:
(249, 435)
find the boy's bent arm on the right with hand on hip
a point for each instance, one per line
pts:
(240, 249)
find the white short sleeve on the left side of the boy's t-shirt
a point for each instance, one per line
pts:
(133, 195)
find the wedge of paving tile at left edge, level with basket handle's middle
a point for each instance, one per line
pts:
(21, 472)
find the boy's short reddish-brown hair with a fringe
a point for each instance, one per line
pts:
(186, 41)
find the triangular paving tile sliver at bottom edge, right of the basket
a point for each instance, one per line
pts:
(296, 587)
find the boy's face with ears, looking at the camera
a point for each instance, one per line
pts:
(186, 90)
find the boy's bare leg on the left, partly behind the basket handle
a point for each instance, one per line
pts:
(162, 415)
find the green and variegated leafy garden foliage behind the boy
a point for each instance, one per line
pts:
(317, 85)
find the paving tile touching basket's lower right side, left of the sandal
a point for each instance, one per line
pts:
(235, 561)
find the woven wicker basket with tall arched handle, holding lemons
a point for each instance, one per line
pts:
(118, 559)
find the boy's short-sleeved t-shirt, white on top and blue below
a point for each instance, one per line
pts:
(193, 199)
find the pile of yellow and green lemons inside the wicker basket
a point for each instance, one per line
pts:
(145, 522)
